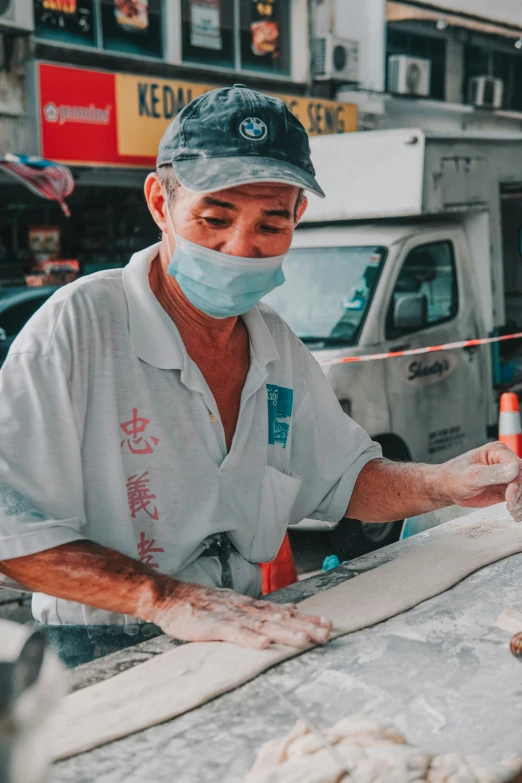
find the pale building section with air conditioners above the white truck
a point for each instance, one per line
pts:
(446, 65)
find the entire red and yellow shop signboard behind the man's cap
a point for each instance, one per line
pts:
(98, 118)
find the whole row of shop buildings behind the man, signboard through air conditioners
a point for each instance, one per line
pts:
(94, 83)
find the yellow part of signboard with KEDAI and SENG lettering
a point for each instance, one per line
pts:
(145, 106)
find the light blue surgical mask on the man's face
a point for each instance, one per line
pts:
(218, 284)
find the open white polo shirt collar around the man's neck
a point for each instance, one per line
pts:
(155, 338)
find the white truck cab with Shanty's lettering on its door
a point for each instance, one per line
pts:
(372, 289)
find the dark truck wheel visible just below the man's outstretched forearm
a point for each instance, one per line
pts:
(352, 538)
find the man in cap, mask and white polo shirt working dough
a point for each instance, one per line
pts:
(160, 430)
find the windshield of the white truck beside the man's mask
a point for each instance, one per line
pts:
(327, 292)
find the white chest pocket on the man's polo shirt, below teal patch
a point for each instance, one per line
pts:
(278, 495)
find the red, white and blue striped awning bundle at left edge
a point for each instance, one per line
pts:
(45, 178)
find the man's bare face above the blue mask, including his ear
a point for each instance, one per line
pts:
(253, 221)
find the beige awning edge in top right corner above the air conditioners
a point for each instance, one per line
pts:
(404, 12)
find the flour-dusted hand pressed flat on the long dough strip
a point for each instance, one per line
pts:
(194, 613)
